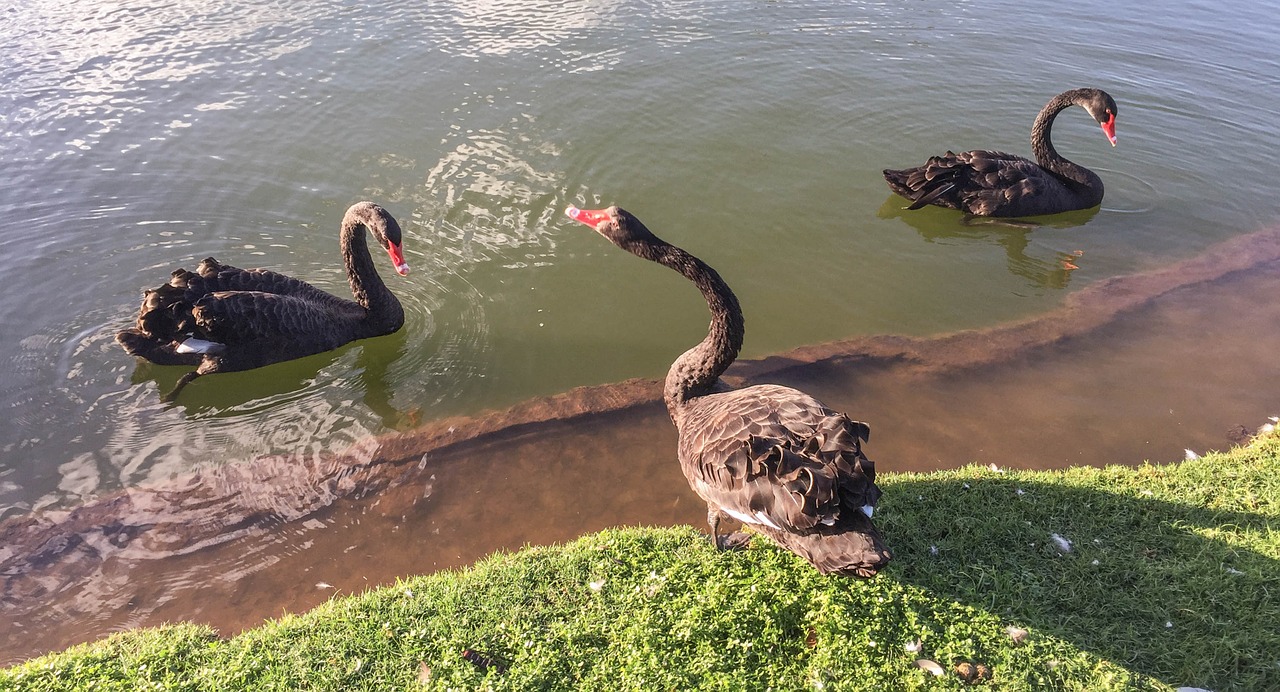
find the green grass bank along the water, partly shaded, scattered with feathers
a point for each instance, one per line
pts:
(1172, 581)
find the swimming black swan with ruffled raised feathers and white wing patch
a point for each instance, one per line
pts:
(225, 319)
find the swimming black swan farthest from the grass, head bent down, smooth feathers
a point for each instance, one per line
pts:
(991, 184)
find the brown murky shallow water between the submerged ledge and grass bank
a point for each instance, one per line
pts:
(1132, 369)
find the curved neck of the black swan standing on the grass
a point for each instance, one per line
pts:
(698, 370)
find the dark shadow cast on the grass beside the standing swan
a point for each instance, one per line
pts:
(1022, 578)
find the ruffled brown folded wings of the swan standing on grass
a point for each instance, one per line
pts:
(775, 457)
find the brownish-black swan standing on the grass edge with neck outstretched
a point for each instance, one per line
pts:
(769, 456)
